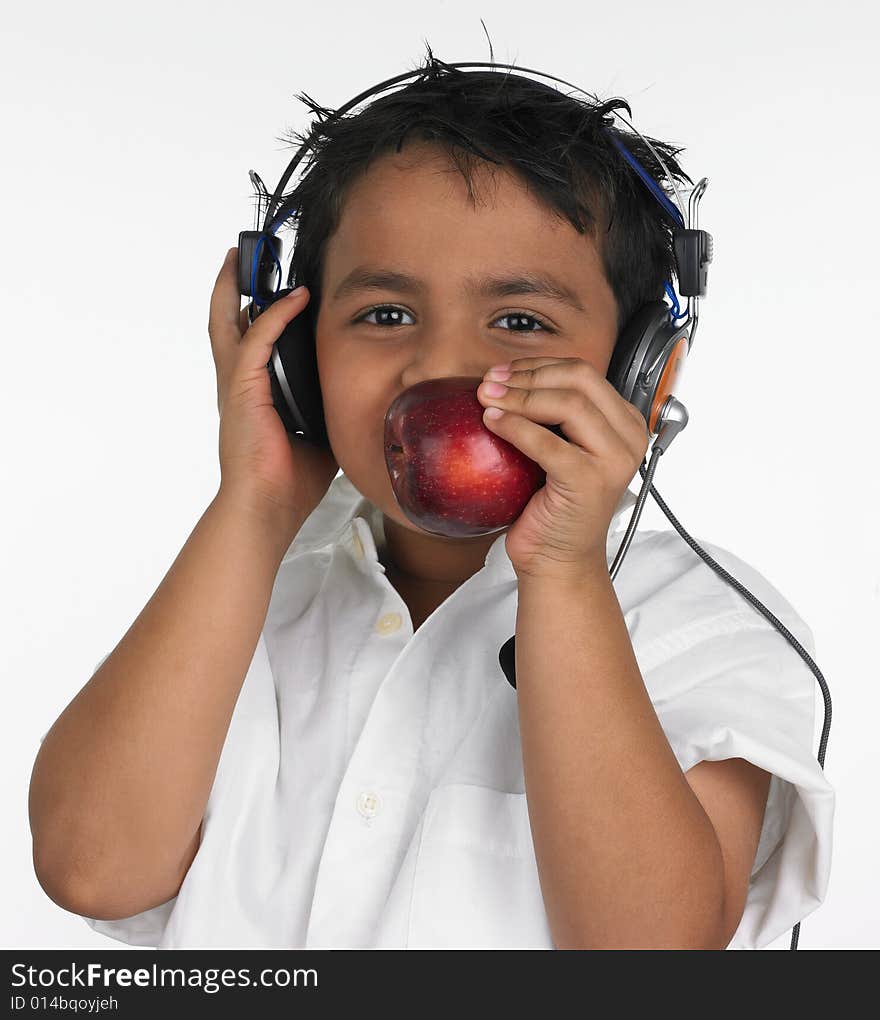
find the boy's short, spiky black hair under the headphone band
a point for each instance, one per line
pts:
(555, 143)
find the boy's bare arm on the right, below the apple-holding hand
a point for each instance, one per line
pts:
(630, 854)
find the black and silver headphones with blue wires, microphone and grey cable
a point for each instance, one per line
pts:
(646, 367)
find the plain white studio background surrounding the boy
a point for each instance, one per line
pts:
(129, 131)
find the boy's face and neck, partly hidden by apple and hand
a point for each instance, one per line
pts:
(410, 214)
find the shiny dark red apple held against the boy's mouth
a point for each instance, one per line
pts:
(451, 476)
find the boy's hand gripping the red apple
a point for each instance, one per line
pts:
(563, 530)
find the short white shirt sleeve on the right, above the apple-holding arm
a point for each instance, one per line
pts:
(735, 688)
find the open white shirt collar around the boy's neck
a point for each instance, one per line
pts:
(347, 519)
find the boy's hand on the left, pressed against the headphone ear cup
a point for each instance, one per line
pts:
(273, 472)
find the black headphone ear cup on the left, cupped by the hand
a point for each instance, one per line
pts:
(294, 379)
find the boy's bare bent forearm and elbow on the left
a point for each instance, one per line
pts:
(121, 783)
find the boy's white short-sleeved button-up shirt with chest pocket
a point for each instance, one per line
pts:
(371, 789)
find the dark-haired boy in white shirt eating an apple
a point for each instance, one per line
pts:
(306, 740)
